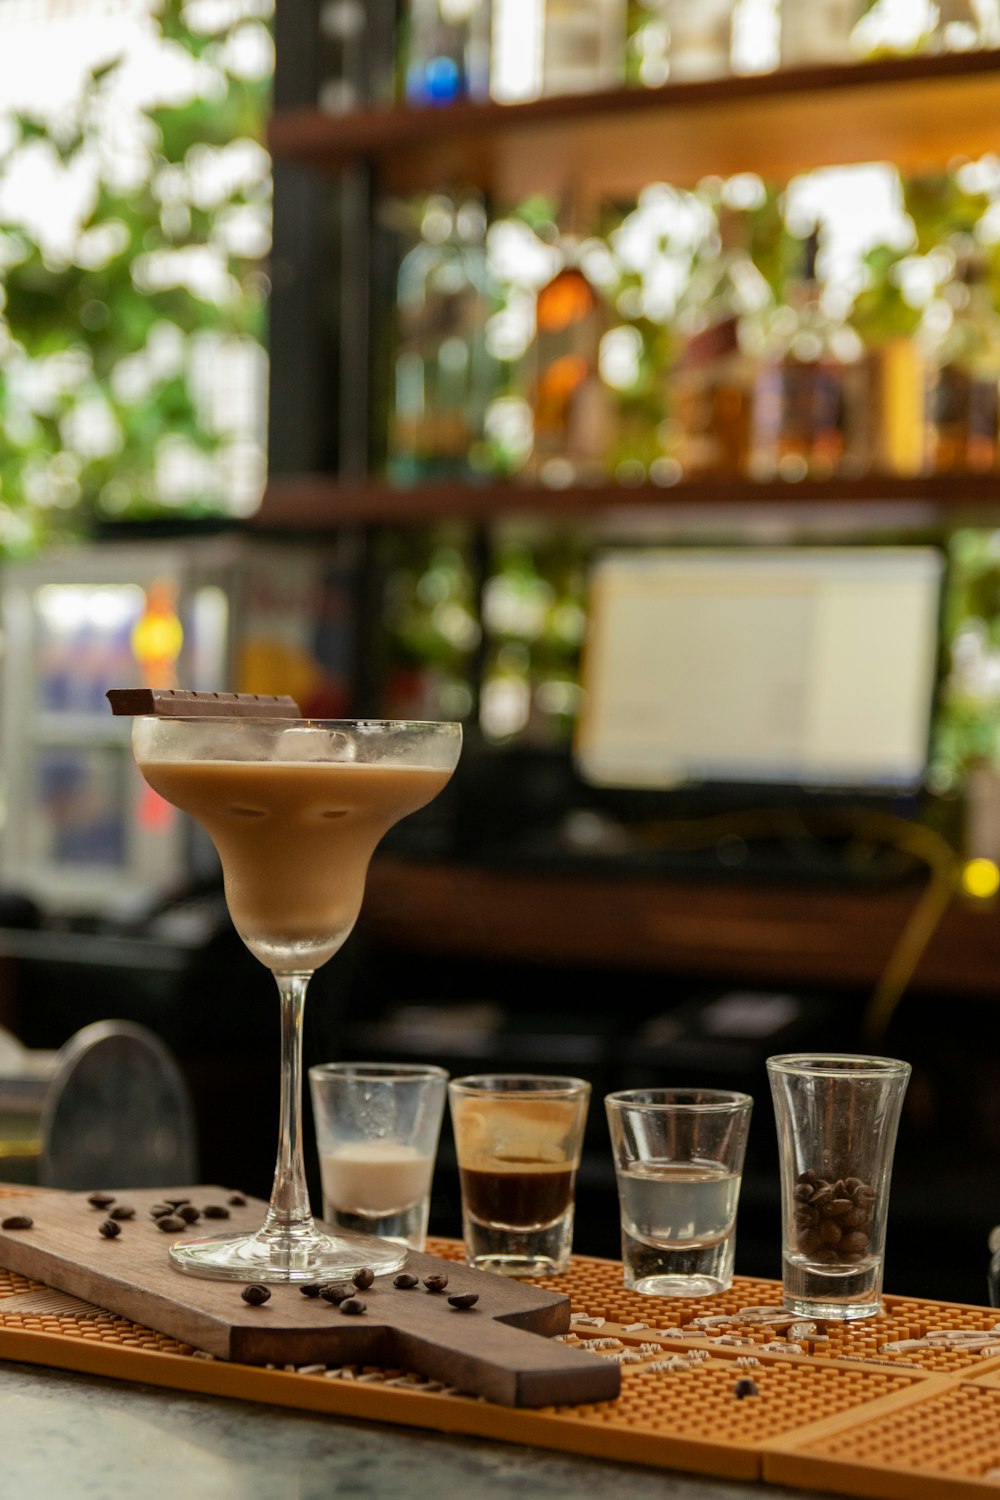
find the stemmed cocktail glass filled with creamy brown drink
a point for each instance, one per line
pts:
(295, 809)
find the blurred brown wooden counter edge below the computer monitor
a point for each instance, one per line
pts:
(803, 935)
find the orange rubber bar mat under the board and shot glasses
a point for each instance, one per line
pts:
(902, 1406)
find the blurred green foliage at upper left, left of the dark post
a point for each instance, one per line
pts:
(98, 341)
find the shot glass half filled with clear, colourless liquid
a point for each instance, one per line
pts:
(678, 1163)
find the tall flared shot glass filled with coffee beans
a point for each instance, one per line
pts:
(837, 1121)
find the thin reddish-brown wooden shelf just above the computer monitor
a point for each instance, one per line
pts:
(323, 503)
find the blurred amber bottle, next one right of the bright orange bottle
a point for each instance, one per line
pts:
(710, 389)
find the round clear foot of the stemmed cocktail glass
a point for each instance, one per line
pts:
(286, 1258)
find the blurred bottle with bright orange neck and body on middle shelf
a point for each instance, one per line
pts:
(573, 410)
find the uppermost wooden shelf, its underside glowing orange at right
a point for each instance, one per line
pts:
(920, 113)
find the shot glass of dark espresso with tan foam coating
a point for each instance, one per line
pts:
(518, 1141)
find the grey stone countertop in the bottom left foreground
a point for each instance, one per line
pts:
(77, 1438)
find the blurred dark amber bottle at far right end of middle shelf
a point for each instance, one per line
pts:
(963, 386)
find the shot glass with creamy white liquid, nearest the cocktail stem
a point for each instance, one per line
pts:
(377, 1133)
